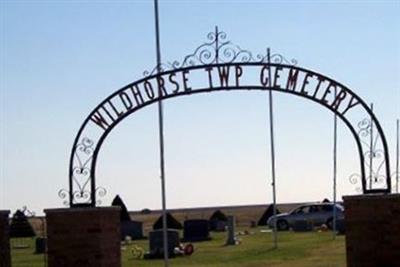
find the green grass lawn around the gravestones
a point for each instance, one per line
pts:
(316, 249)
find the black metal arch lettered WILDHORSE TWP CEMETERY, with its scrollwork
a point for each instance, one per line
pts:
(221, 65)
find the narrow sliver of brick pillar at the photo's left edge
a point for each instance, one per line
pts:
(5, 257)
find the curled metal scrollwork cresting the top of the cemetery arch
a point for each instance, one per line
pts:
(217, 50)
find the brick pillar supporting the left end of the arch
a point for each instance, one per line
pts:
(87, 237)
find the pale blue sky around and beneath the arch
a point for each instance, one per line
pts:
(59, 59)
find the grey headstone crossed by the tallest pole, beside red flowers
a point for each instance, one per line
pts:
(156, 244)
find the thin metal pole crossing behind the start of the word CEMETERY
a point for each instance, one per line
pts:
(271, 127)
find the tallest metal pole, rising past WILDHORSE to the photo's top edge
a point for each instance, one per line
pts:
(161, 135)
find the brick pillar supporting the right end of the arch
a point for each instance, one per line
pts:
(372, 230)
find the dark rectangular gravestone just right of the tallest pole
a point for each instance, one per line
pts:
(195, 230)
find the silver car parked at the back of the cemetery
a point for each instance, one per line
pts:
(317, 214)
